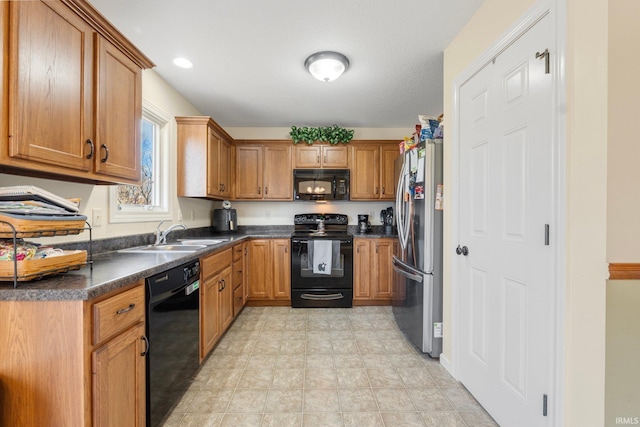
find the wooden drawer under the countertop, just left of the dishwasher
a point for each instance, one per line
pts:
(117, 313)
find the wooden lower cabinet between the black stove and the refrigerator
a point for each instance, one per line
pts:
(373, 270)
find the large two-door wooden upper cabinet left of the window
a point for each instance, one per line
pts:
(73, 92)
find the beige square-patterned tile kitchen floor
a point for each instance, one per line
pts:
(278, 366)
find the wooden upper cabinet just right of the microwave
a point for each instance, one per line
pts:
(373, 175)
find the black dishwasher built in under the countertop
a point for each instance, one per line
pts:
(173, 324)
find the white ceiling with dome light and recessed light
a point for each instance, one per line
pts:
(248, 56)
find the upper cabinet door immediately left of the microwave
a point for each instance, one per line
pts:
(278, 174)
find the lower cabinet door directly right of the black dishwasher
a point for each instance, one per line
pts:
(210, 330)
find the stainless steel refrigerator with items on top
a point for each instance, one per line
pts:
(417, 303)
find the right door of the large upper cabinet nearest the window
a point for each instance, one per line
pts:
(119, 112)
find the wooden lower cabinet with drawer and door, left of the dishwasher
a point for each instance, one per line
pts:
(73, 363)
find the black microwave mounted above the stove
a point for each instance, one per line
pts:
(321, 184)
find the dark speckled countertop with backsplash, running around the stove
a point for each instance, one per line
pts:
(112, 270)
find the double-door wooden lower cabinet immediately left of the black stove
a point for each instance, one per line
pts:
(269, 272)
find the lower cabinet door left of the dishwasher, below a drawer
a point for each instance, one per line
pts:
(118, 369)
